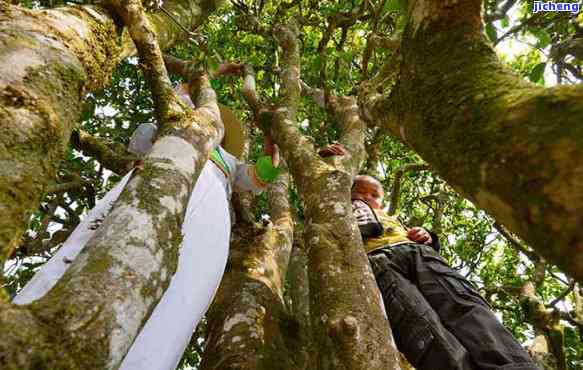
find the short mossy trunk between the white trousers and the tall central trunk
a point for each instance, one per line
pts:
(249, 324)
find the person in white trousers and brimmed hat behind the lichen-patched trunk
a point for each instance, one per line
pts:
(203, 253)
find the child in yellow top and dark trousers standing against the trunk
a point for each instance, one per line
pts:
(439, 321)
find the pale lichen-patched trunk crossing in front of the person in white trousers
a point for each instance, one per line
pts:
(111, 288)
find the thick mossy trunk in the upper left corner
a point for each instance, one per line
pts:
(49, 59)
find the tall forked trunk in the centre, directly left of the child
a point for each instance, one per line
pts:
(349, 333)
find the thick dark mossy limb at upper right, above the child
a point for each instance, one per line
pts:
(512, 147)
